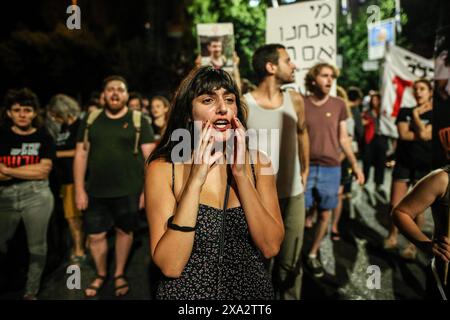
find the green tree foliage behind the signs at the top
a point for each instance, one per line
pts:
(250, 23)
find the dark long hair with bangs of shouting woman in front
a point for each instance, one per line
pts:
(199, 81)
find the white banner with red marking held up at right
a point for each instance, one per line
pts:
(401, 69)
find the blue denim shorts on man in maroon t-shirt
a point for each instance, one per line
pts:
(323, 187)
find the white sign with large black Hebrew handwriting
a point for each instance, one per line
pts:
(307, 30)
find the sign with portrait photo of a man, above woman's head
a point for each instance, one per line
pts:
(216, 44)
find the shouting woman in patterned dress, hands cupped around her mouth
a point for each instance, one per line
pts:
(212, 220)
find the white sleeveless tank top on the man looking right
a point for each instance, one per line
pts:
(281, 148)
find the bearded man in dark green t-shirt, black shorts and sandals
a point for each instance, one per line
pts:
(113, 194)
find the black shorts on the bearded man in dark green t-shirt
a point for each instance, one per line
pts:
(104, 213)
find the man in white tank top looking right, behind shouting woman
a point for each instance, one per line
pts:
(279, 122)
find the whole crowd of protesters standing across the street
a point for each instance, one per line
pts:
(226, 220)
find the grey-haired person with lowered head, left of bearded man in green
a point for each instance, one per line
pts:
(65, 111)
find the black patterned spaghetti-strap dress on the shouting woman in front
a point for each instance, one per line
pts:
(224, 264)
